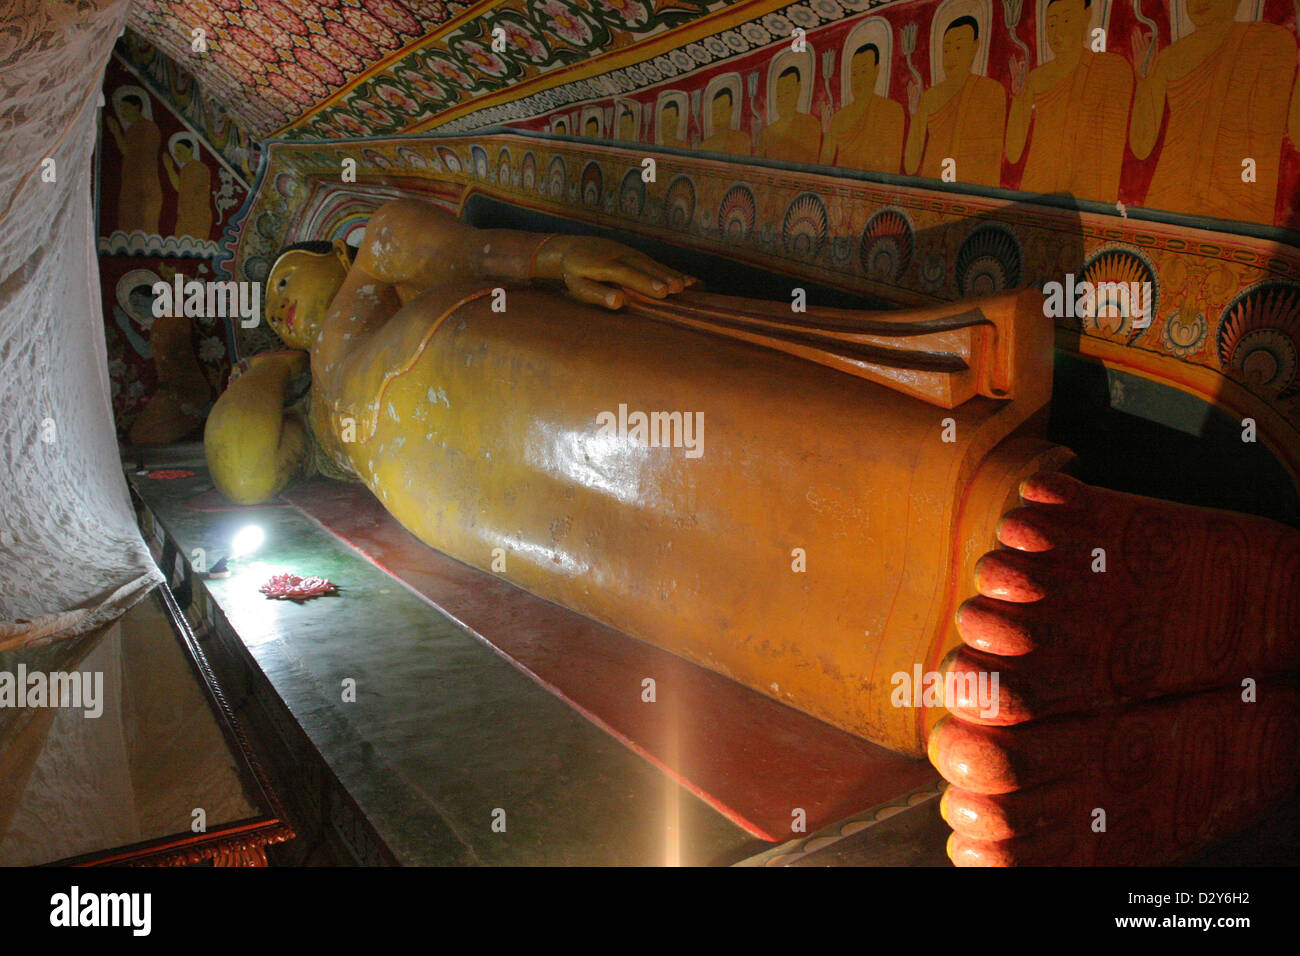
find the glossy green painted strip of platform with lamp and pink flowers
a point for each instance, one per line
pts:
(444, 734)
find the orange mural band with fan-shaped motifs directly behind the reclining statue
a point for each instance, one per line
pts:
(1224, 306)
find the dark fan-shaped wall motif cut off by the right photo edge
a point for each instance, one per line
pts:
(1259, 338)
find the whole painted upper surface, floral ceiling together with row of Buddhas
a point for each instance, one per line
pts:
(1145, 103)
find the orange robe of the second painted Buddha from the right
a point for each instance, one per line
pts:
(1080, 128)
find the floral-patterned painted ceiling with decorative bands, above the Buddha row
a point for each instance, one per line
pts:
(322, 70)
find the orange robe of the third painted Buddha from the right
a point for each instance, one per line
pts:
(969, 129)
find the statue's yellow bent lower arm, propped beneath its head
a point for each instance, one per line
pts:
(253, 448)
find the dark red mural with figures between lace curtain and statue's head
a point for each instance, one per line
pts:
(164, 201)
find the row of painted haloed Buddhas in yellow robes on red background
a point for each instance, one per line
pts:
(1228, 84)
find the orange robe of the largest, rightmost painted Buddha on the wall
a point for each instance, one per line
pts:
(1229, 109)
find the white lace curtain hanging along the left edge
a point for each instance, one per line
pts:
(71, 555)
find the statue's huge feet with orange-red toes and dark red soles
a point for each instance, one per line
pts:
(1146, 655)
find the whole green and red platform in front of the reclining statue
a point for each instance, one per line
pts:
(492, 728)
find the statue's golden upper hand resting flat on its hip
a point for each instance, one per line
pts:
(601, 271)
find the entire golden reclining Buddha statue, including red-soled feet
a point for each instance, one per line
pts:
(857, 514)
